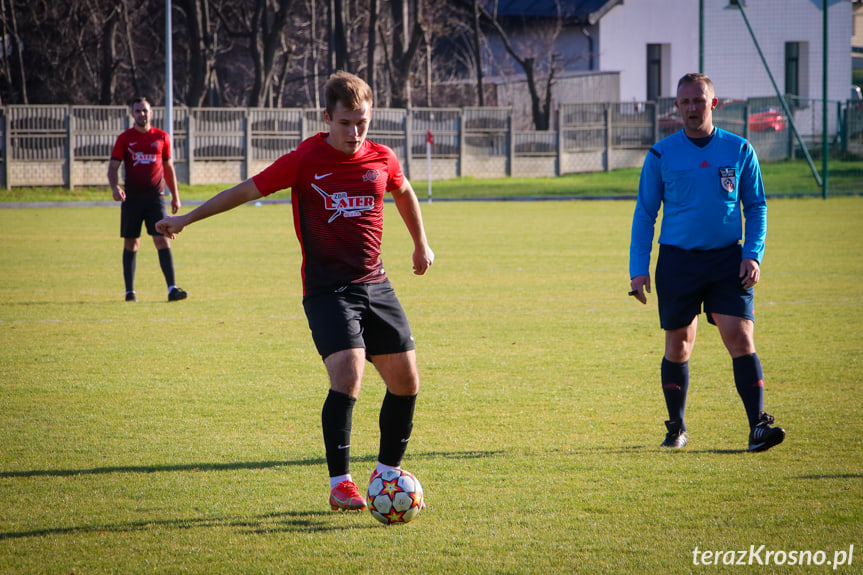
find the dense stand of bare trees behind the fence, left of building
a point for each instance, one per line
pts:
(119, 51)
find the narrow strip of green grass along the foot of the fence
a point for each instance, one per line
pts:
(783, 178)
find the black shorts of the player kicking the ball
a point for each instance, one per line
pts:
(358, 316)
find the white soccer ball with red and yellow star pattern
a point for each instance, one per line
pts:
(394, 496)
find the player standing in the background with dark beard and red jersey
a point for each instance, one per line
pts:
(145, 153)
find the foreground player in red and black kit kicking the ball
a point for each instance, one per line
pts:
(338, 180)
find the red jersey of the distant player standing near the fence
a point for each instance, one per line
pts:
(143, 154)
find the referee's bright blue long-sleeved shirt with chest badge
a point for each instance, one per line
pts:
(701, 191)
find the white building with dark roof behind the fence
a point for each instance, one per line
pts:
(651, 43)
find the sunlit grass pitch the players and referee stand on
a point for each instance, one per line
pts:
(185, 437)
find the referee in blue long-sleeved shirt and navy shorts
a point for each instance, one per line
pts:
(700, 177)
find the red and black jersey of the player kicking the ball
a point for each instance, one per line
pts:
(338, 208)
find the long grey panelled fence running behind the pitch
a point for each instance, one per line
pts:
(70, 145)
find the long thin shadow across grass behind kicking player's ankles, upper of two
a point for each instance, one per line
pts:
(235, 466)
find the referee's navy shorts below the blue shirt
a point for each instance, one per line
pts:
(686, 279)
